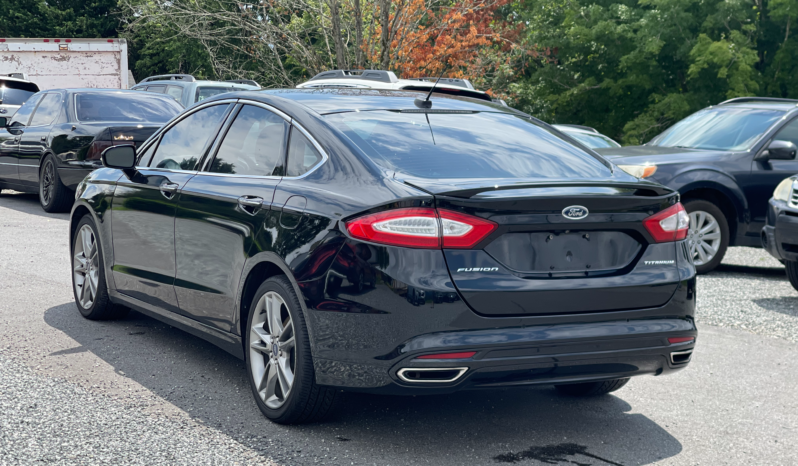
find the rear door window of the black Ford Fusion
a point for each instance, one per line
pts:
(254, 145)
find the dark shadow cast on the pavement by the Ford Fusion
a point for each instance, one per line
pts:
(525, 426)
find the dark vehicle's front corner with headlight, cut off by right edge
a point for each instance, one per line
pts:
(780, 234)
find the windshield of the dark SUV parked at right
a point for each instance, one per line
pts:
(720, 128)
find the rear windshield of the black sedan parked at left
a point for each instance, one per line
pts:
(125, 106)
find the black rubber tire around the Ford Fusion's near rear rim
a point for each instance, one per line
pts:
(306, 402)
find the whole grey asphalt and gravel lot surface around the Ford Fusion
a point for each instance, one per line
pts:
(137, 391)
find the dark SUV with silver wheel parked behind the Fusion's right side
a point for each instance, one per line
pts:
(725, 160)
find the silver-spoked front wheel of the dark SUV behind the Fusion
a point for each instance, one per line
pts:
(708, 236)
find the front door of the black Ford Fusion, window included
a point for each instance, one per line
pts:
(145, 202)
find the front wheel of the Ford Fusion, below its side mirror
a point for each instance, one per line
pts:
(88, 275)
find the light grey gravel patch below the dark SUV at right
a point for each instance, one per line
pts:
(749, 291)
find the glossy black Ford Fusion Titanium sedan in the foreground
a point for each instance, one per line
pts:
(360, 240)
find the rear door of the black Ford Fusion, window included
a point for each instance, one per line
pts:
(222, 208)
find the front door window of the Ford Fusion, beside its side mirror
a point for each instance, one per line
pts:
(181, 146)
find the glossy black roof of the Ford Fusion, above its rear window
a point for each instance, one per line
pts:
(338, 100)
